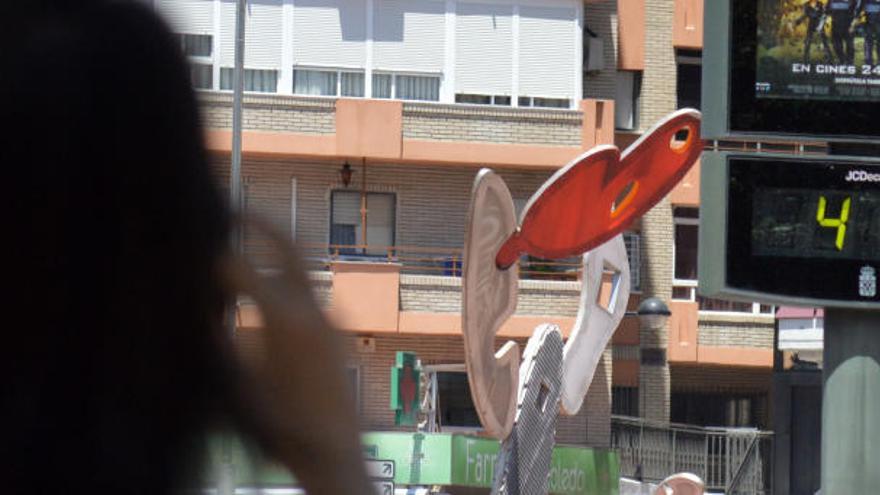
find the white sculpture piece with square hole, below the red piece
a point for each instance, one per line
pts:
(595, 324)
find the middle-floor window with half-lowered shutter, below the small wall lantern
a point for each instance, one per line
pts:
(347, 231)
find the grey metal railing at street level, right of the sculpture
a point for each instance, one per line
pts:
(734, 460)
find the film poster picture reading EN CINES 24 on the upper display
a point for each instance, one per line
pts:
(818, 50)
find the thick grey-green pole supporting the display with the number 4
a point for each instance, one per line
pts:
(851, 402)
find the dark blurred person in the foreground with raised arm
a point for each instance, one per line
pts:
(118, 366)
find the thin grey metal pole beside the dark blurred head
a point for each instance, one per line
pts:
(226, 481)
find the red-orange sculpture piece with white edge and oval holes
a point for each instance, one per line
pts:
(600, 193)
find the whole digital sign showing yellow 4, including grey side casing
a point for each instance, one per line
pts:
(793, 230)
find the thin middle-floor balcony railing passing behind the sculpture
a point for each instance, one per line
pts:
(427, 260)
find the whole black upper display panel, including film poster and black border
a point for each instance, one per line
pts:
(773, 92)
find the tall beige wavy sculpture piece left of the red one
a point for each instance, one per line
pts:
(488, 300)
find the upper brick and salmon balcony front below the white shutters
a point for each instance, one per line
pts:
(325, 127)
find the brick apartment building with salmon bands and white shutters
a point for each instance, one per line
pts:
(365, 122)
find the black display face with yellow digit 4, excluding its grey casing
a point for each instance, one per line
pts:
(804, 228)
